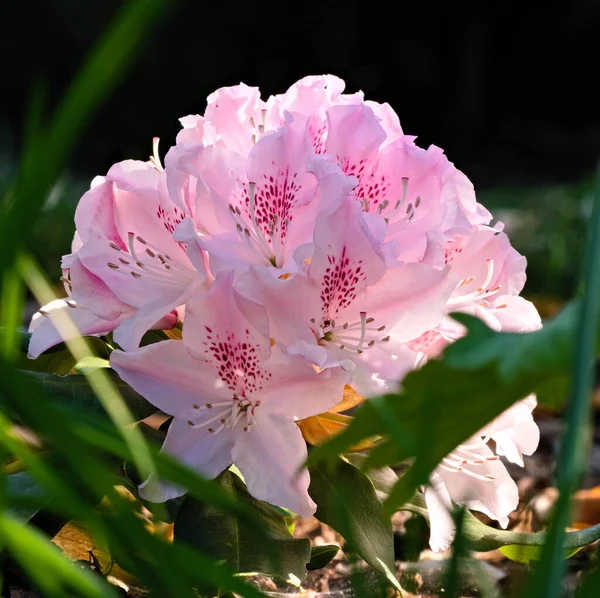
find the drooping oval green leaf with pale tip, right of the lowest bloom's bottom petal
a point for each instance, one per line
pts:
(347, 501)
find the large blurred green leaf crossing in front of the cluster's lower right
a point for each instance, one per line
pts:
(483, 374)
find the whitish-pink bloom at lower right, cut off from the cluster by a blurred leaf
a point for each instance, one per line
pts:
(473, 475)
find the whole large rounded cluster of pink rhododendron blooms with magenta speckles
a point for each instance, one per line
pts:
(303, 244)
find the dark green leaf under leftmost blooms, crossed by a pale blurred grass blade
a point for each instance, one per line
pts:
(75, 391)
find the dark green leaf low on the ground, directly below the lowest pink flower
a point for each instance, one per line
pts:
(224, 536)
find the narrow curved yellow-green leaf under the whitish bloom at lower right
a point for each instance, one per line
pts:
(520, 546)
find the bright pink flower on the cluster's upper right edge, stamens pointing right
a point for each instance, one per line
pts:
(417, 191)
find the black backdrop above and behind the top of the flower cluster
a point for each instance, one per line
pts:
(507, 89)
